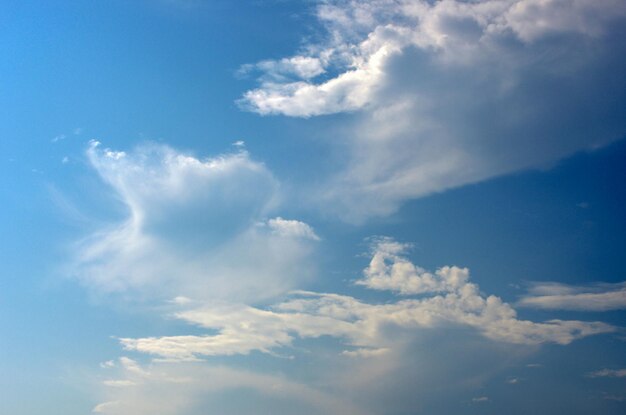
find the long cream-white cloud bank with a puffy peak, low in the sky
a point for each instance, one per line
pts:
(452, 301)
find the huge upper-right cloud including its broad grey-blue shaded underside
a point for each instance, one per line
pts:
(451, 92)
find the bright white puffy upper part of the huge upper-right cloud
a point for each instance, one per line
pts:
(367, 35)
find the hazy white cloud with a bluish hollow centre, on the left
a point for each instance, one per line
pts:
(191, 229)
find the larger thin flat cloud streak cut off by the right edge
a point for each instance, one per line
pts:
(555, 296)
